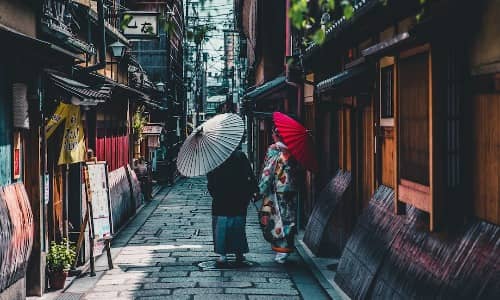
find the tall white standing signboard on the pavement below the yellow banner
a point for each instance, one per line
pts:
(99, 194)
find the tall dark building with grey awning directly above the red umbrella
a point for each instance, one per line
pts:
(273, 84)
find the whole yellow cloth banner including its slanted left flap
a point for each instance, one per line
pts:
(73, 144)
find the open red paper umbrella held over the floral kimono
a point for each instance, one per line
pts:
(298, 140)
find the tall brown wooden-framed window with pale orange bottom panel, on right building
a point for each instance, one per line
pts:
(414, 126)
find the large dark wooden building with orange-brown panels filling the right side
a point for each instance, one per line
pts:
(402, 99)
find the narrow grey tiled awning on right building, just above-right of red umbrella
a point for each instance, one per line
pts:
(344, 78)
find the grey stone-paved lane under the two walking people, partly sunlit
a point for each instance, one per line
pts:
(161, 259)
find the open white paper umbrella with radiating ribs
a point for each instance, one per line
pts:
(210, 145)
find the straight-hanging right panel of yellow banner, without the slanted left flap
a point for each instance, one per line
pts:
(73, 145)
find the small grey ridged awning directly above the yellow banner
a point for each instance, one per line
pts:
(88, 96)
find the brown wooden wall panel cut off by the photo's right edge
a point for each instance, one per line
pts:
(486, 157)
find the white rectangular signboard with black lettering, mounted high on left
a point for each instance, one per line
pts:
(141, 24)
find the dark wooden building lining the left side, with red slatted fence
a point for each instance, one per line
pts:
(59, 52)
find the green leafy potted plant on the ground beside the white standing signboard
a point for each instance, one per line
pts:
(59, 260)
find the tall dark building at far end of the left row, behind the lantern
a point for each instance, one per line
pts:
(161, 57)
